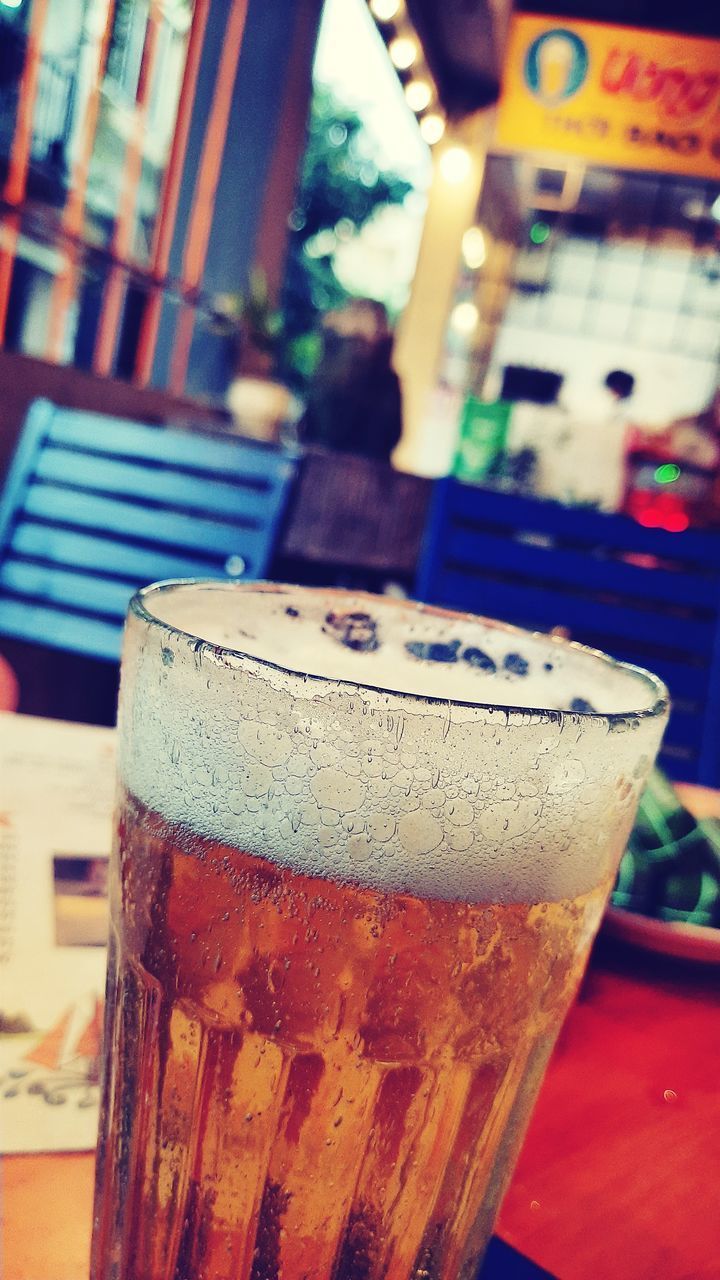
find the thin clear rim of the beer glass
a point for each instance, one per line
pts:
(139, 609)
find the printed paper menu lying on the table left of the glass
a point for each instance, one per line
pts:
(57, 787)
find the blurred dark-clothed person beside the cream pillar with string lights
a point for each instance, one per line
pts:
(356, 400)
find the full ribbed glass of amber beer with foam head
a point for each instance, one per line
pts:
(363, 848)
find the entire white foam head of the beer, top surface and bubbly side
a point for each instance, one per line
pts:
(323, 762)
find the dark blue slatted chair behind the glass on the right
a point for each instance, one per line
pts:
(645, 596)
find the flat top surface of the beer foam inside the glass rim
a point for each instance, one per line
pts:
(306, 642)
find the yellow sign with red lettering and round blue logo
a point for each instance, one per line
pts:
(614, 97)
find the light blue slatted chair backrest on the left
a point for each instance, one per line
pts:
(95, 508)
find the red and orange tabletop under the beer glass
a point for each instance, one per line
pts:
(619, 1171)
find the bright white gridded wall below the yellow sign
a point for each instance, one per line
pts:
(610, 308)
